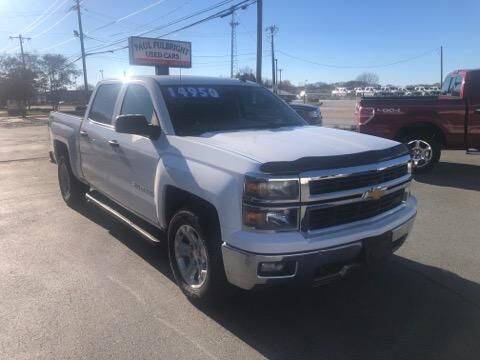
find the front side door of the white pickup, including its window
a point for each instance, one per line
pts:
(132, 180)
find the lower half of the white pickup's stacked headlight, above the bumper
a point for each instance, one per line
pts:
(271, 218)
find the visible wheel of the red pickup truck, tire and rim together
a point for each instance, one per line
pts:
(424, 149)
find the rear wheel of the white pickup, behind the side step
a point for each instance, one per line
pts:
(72, 190)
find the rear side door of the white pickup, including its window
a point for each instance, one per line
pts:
(95, 151)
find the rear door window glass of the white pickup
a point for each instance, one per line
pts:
(104, 103)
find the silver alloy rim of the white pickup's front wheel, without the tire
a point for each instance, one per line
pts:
(191, 256)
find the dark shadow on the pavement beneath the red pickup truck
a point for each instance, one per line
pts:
(462, 176)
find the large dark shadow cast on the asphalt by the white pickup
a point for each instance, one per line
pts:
(406, 310)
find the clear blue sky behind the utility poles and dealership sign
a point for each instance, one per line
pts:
(318, 40)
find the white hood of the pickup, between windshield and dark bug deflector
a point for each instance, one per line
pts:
(293, 143)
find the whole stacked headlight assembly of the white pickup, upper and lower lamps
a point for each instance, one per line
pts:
(265, 203)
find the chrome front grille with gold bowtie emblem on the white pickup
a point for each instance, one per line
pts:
(341, 196)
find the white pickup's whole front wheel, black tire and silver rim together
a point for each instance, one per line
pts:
(206, 255)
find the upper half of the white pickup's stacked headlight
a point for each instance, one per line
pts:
(265, 190)
